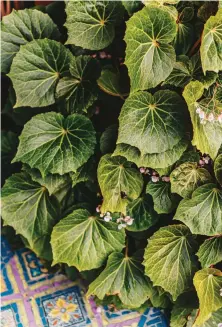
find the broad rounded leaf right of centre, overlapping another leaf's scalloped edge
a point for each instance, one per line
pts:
(152, 123)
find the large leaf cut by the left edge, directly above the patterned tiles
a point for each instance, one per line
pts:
(28, 208)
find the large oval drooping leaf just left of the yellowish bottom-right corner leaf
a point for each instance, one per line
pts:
(169, 260)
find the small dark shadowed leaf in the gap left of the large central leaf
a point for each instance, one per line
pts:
(108, 139)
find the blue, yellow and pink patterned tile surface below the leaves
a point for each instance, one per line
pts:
(33, 298)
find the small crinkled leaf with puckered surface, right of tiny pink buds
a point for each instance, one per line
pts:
(187, 177)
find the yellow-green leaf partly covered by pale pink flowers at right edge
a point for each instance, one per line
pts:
(207, 138)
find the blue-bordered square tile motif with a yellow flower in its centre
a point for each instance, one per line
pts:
(63, 309)
